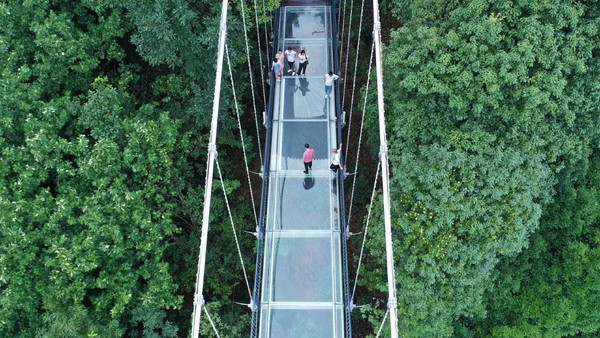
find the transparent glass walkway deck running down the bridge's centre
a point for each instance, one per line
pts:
(301, 292)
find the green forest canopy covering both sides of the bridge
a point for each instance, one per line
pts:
(493, 122)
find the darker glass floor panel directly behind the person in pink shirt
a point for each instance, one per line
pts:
(293, 137)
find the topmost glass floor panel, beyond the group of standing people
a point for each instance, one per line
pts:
(306, 22)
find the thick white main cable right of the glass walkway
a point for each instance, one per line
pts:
(392, 300)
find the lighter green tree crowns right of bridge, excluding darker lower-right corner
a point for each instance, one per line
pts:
(487, 102)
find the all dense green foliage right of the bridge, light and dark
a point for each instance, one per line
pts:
(494, 142)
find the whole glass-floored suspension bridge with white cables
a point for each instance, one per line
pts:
(302, 286)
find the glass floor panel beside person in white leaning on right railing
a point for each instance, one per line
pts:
(304, 98)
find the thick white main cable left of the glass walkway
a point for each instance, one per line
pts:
(212, 152)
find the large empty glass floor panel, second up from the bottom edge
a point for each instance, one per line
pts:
(302, 269)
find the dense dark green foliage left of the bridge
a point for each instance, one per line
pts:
(104, 114)
